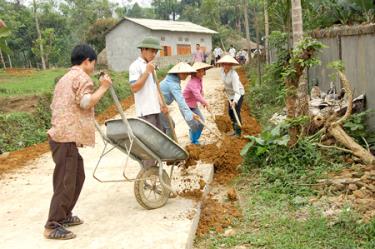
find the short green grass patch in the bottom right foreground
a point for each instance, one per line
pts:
(271, 221)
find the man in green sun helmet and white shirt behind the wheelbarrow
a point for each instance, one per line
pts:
(148, 102)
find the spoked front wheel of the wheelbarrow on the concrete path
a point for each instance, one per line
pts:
(148, 191)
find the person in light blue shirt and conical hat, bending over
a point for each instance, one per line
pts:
(171, 90)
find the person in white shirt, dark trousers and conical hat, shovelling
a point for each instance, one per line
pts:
(234, 90)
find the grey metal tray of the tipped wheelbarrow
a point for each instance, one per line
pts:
(155, 140)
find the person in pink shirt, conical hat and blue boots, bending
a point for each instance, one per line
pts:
(193, 93)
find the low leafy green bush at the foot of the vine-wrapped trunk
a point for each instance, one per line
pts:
(285, 170)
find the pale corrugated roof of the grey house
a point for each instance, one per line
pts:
(175, 26)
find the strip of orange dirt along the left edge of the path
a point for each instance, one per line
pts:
(18, 159)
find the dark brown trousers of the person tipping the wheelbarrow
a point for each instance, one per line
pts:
(68, 178)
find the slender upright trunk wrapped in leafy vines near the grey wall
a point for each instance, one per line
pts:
(297, 26)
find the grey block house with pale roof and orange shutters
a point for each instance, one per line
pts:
(178, 40)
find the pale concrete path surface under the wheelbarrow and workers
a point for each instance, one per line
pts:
(113, 218)
